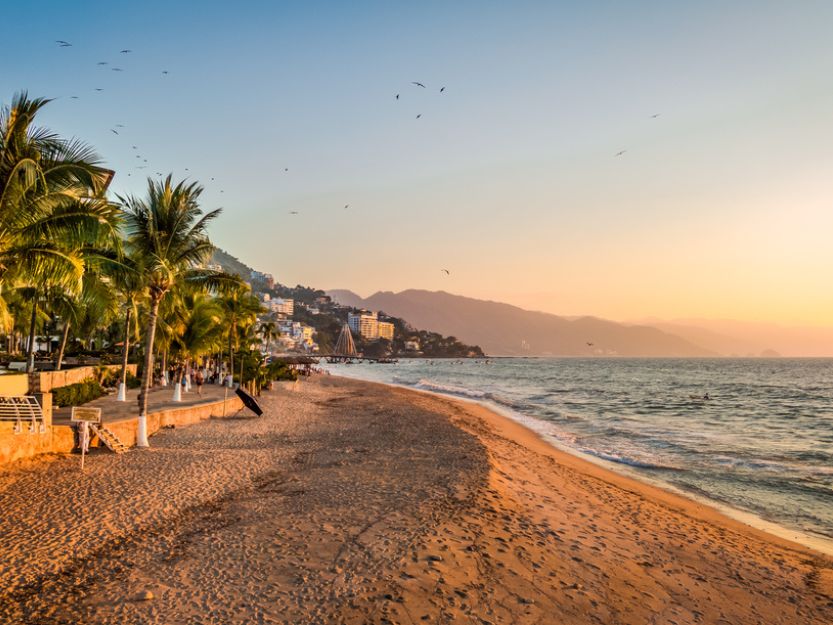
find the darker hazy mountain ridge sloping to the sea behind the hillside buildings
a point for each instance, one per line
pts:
(503, 329)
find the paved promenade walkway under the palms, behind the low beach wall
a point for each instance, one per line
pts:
(160, 398)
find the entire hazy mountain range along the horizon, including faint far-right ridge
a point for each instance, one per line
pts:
(503, 329)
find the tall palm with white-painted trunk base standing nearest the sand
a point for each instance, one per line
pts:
(168, 240)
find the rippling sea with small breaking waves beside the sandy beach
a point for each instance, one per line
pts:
(762, 443)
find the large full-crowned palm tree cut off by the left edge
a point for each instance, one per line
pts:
(51, 205)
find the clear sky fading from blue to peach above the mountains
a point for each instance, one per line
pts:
(720, 207)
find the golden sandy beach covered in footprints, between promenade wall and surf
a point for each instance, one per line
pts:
(351, 502)
